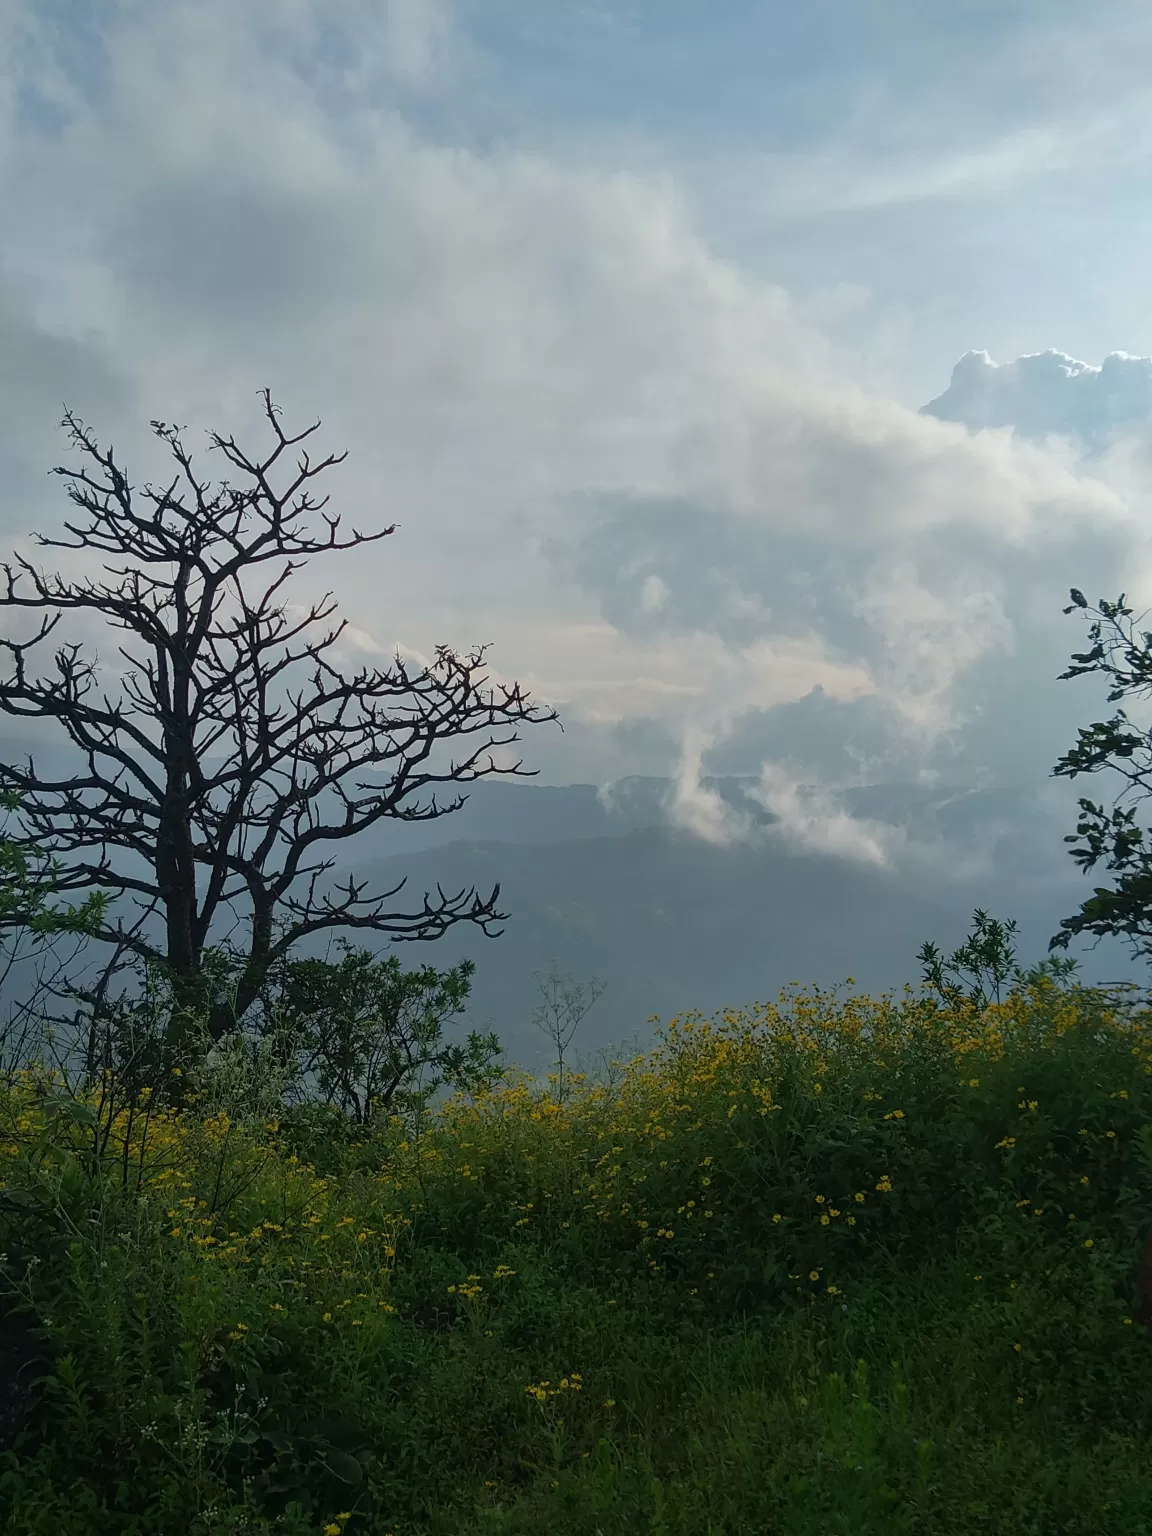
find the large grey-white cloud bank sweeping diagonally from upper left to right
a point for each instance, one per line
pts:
(634, 468)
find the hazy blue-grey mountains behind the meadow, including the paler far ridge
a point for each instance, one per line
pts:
(672, 922)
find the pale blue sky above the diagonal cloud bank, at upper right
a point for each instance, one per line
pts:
(932, 179)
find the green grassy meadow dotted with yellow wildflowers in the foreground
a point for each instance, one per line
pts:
(830, 1266)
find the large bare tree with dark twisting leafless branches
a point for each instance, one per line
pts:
(223, 767)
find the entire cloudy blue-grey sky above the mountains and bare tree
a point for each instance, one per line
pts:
(627, 316)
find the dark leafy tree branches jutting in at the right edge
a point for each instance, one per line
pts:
(1127, 909)
